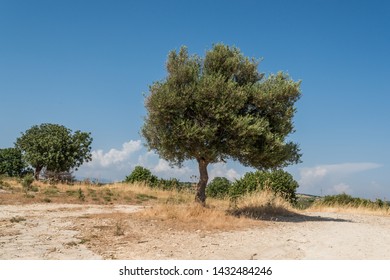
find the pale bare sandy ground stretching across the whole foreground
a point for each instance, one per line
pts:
(63, 231)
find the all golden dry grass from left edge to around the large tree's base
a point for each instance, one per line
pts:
(173, 209)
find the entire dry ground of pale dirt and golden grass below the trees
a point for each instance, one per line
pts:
(134, 222)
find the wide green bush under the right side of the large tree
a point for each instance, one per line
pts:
(279, 181)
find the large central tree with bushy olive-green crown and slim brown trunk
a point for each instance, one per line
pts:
(221, 107)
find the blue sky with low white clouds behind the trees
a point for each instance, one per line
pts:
(87, 64)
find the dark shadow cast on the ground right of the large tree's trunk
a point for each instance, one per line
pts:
(279, 214)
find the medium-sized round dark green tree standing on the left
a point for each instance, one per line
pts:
(54, 147)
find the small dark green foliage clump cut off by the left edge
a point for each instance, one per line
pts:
(11, 162)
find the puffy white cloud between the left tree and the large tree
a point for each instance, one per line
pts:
(114, 156)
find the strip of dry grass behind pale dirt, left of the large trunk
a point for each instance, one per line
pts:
(119, 193)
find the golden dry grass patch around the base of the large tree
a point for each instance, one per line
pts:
(220, 214)
